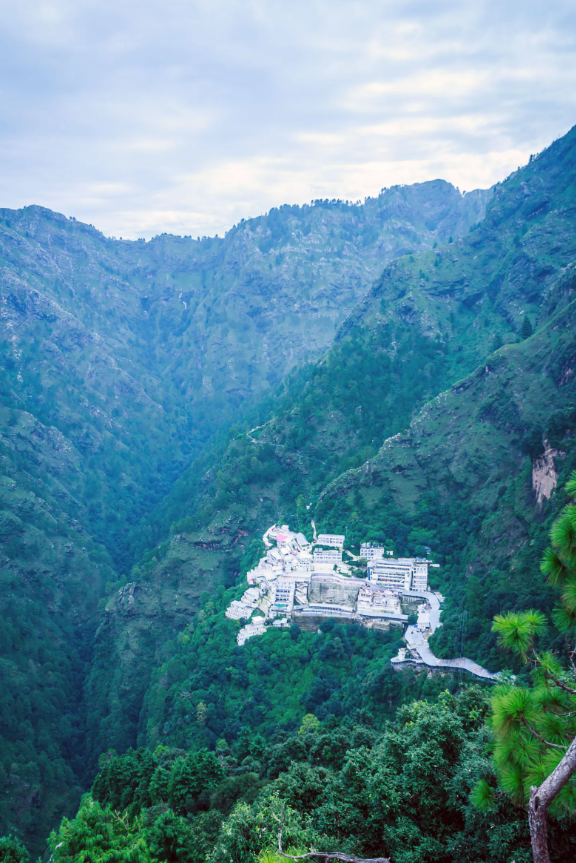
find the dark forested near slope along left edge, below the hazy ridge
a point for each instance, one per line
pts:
(51, 577)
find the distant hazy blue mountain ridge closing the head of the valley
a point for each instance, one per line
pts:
(136, 352)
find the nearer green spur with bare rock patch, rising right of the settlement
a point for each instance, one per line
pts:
(478, 477)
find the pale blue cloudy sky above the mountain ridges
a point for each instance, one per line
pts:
(184, 116)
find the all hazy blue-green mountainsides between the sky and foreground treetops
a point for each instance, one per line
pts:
(384, 351)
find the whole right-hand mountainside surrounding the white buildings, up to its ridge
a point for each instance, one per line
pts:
(456, 317)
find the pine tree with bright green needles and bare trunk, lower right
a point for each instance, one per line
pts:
(535, 727)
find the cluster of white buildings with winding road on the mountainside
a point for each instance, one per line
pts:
(302, 582)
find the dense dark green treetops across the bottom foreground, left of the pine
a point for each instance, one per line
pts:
(402, 791)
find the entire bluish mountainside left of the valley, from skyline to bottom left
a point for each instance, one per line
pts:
(120, 362)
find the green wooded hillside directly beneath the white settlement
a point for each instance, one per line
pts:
(210, 688)
